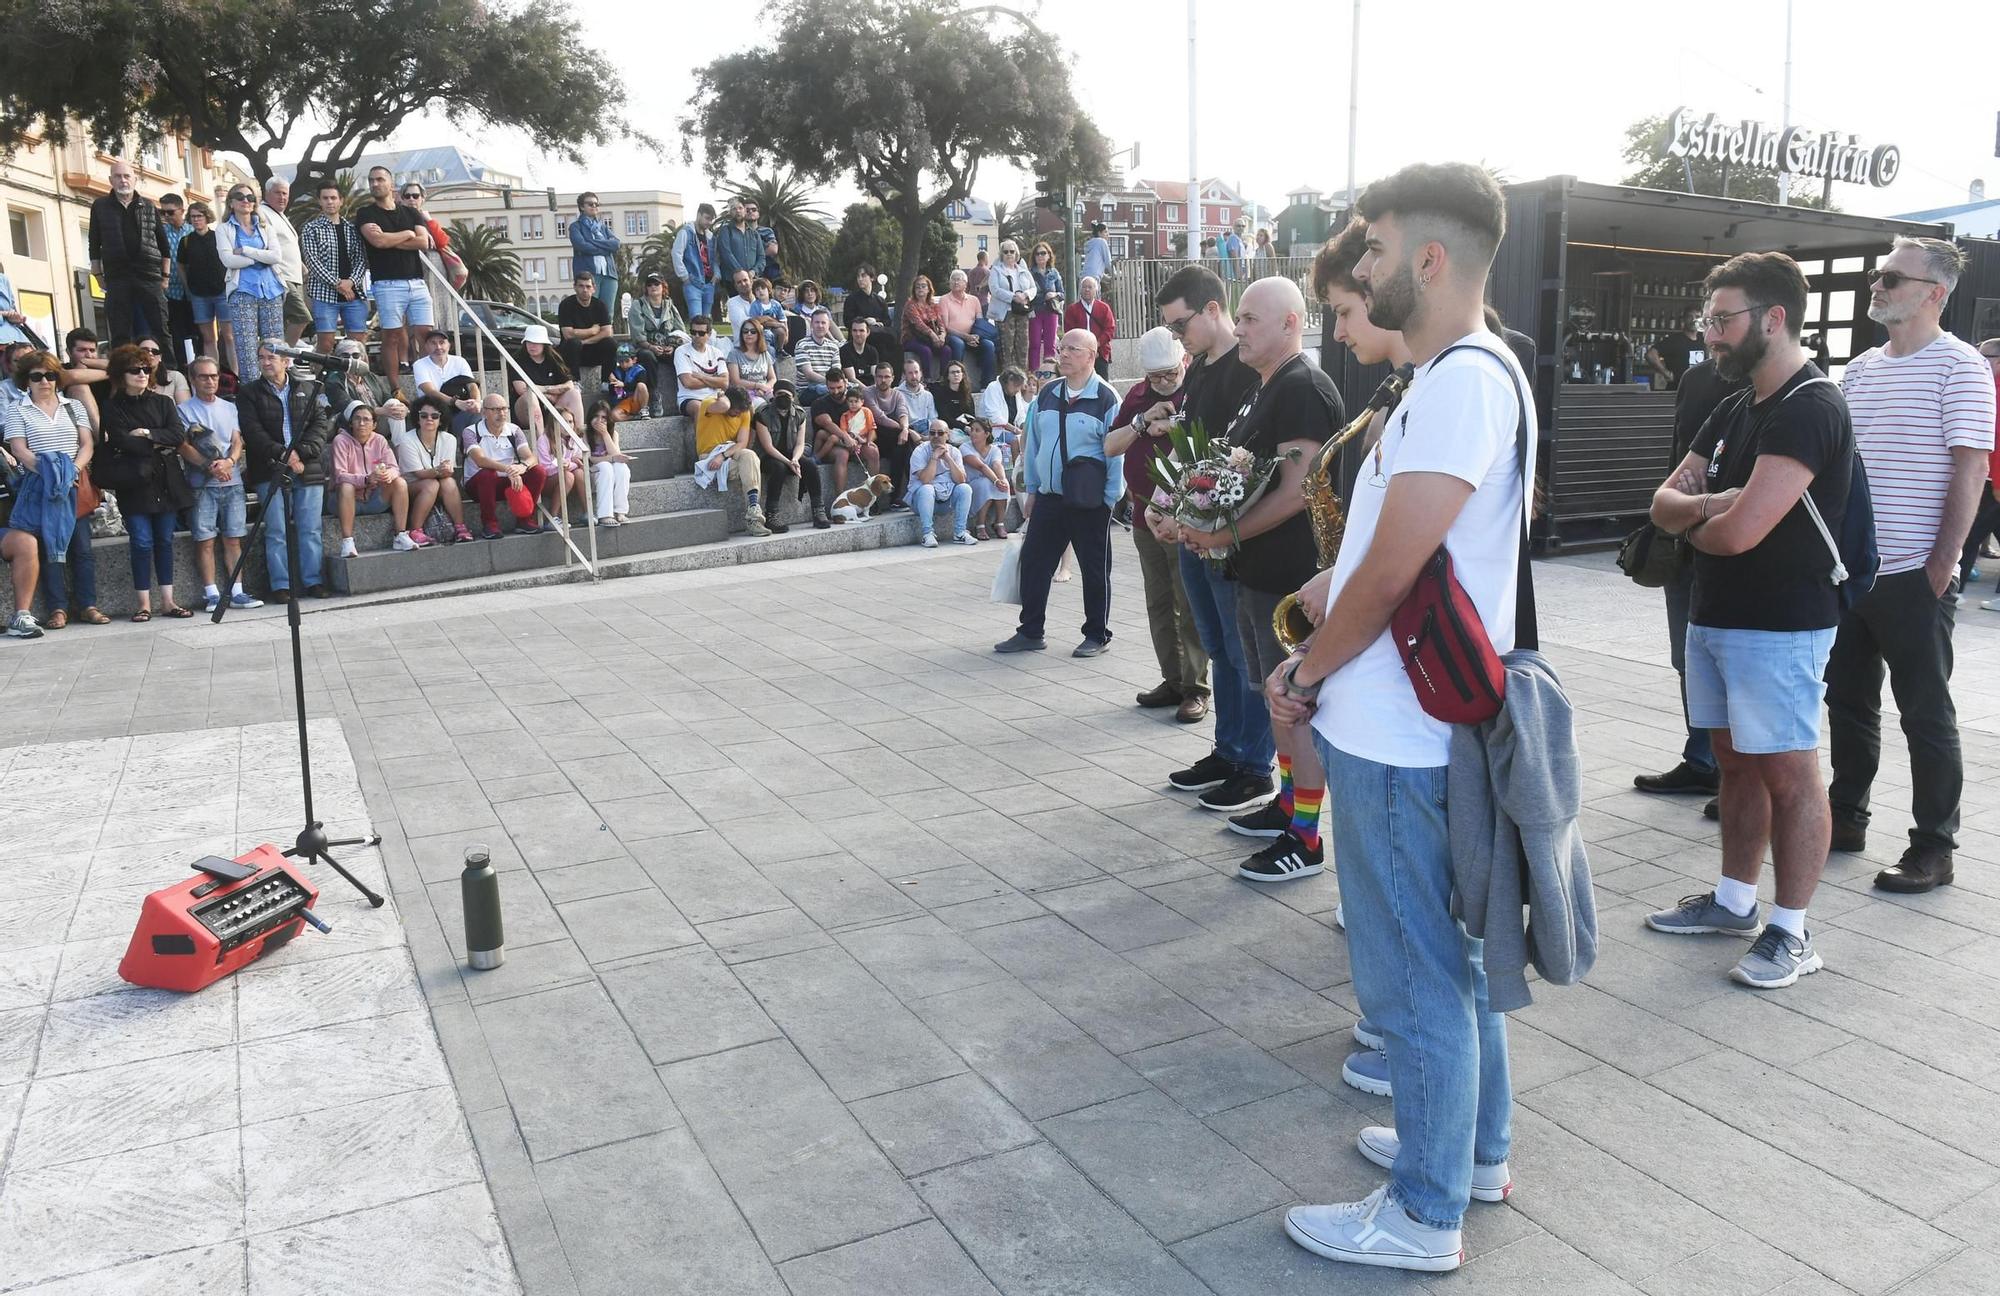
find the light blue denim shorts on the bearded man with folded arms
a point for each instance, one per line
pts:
(1765, 687)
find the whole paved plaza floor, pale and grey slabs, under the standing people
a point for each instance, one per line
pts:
(849, 959)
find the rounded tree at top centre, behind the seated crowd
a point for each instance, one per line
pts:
(909, 97)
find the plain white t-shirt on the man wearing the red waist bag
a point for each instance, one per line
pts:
(1457, 419)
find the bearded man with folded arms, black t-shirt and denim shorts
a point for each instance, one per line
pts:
(1765, 609)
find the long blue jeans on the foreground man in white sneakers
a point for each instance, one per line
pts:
(1421, 981)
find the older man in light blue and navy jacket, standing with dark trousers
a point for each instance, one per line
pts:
(1069, 487)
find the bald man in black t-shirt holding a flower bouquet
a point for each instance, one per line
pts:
(1291, 413)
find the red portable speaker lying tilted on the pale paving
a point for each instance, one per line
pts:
(219, 921)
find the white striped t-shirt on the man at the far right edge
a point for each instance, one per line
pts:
(1909, 413)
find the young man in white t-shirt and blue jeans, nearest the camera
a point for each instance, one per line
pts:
(1445, 471)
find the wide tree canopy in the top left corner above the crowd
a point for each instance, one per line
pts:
(309, 77)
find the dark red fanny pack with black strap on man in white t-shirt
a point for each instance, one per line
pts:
(1439, 633)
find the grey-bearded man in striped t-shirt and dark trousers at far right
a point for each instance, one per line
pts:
(1923, 417)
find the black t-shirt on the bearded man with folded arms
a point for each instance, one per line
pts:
(1785, 581)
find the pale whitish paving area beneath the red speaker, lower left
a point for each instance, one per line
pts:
(243, 1137)
